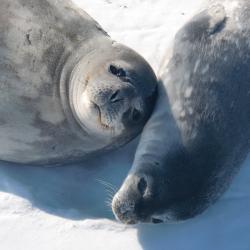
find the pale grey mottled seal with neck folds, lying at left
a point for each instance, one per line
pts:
(67, 89)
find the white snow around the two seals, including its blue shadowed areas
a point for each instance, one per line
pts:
(65, 208)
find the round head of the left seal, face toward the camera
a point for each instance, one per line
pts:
(112, 93)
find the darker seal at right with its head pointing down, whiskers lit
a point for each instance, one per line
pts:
(199, 132)
